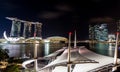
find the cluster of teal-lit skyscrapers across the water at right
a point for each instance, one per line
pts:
(99, 32)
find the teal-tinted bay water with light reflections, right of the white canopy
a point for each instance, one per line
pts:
(105, 49)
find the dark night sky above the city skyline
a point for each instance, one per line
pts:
(58, 16)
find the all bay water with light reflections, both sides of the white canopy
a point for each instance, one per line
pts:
(21, 50)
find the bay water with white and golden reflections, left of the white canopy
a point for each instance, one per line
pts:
(26, 50)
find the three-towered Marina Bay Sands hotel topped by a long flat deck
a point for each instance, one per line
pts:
(29, 29)
